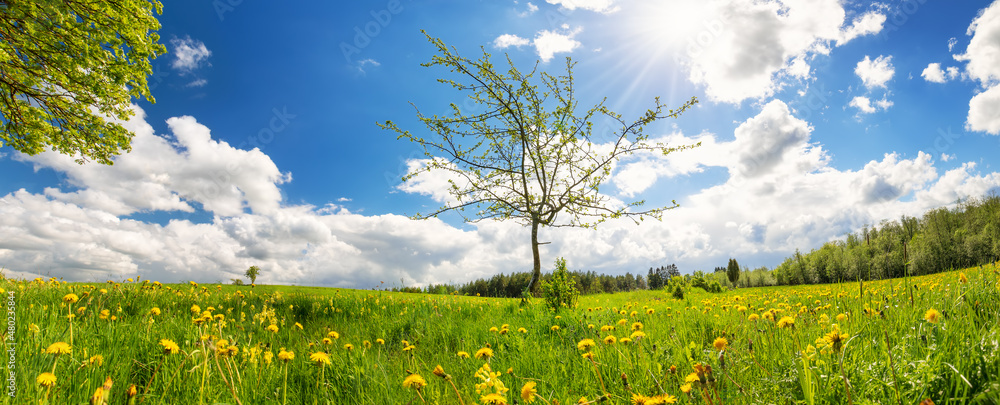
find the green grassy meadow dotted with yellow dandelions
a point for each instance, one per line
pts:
(139, 341)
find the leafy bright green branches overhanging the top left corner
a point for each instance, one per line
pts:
(66, 65)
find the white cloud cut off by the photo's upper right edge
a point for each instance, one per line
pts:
(983, 57)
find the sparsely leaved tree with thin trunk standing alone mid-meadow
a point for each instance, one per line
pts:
(527, 154)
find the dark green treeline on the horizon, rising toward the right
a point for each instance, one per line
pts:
(941, 240)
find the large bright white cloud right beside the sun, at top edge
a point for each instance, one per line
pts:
(758, 46)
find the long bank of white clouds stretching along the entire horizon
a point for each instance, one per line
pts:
(781, 194)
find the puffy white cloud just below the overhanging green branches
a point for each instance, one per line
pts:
(162, 174)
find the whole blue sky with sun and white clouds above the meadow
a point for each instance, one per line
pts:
(816, 118)
